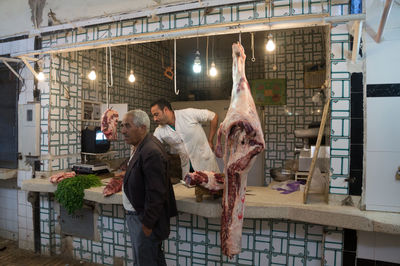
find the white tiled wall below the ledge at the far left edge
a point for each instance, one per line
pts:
(8, 214)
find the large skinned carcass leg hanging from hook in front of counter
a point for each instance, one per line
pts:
(243, 141)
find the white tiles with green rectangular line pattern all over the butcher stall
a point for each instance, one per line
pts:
(195, 240)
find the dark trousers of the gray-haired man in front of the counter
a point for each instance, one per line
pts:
(147, 250)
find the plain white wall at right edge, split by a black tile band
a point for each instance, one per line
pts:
(382, 149)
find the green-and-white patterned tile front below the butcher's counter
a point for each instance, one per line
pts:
(195, 240)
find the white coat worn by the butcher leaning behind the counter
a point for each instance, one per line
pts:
(189, 140)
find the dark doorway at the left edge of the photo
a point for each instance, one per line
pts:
(8, 118)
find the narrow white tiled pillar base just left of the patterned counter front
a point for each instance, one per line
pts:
(25, 221)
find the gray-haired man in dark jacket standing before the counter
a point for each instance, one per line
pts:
(148, 196)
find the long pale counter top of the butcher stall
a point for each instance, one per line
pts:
(263, 202)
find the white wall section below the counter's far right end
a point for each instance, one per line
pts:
(378, 246)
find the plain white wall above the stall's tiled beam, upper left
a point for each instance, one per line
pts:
(16, 15)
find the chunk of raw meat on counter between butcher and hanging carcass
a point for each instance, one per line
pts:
(209, 180)
